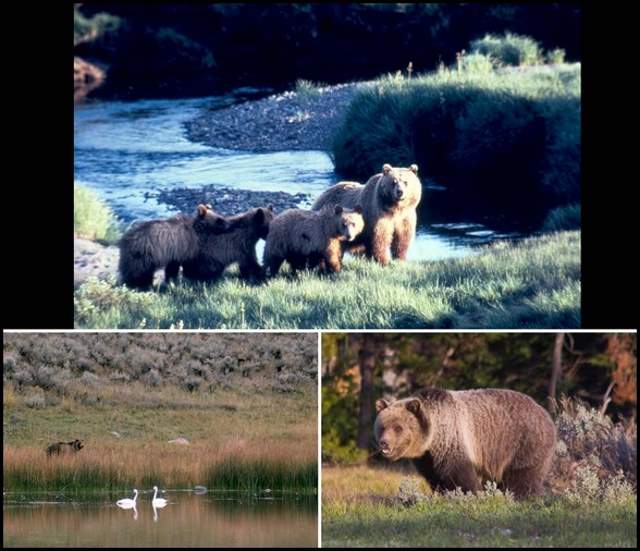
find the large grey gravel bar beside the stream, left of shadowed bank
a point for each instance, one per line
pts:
(300, 120)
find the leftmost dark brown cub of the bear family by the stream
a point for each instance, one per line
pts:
(153, 244)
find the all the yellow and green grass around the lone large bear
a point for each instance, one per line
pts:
(366, 507)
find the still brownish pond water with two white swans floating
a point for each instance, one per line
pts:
(188, 520)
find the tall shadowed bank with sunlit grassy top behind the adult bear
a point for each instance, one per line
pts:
(509, 136)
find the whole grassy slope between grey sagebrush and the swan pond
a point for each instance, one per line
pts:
(238, 439)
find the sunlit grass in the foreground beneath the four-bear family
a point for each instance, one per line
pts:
(534, 283)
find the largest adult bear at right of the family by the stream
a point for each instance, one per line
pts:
(388, 200)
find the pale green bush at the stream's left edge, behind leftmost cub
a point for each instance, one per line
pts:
(92, 218)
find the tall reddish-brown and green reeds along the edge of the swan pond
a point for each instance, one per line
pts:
(111, 467)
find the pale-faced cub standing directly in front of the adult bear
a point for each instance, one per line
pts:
(309, 238)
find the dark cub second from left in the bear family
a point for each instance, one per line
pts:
(236, 245)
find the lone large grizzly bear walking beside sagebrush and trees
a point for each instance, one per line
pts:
(464, 438)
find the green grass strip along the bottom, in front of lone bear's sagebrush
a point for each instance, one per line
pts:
(481, 523)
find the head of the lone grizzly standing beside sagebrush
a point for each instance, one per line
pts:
(400, 429)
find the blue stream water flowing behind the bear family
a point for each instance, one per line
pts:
(128, 152)
